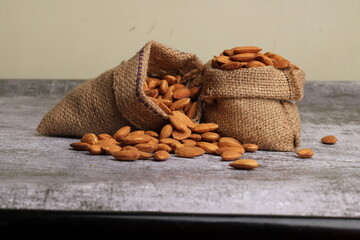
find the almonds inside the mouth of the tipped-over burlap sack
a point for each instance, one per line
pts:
(170, 94)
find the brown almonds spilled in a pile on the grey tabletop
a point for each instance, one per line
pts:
(181, 136)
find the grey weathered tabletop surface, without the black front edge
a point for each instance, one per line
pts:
(39, 172)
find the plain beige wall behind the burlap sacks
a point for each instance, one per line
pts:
(79, 39)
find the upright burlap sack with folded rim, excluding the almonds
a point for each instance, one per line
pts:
(255, 105)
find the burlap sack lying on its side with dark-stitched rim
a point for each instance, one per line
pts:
(116, 98)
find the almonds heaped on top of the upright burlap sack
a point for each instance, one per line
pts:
(249, 57)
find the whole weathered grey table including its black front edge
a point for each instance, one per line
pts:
(46, 186)
